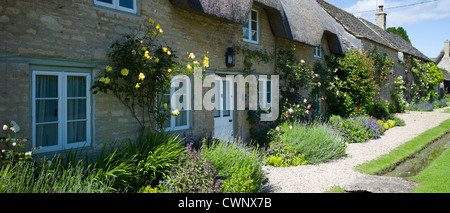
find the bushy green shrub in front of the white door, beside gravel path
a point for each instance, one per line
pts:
(237, 165)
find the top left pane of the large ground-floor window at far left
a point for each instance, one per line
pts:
(46, 86)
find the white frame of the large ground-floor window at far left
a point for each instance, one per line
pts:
(62, 114)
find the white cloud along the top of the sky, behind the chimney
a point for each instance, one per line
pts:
(400, 15)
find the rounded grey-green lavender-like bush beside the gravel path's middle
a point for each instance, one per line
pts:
(316, 142)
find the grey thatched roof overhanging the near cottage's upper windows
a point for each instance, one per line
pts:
(298, 20)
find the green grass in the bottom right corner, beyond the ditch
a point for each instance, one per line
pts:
(436, 177)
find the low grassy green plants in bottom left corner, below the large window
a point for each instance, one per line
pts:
(30, 177)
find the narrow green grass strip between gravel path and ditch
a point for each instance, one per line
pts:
(385, 162)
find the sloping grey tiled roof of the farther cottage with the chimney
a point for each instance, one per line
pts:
(362, 28)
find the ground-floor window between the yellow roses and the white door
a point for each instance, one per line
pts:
(182, 120)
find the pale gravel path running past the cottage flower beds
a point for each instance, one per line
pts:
(318, 178)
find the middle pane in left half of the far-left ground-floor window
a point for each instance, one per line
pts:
(46, 111)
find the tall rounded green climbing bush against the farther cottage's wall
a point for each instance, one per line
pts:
(351, 83)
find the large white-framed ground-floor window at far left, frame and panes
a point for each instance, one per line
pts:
(61, 110)
